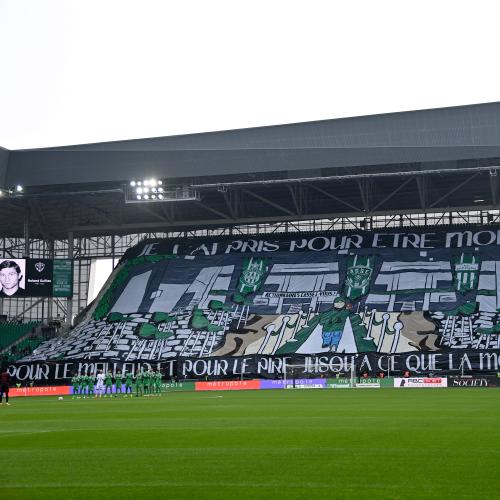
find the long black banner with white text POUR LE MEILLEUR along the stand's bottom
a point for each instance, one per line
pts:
(268, 367)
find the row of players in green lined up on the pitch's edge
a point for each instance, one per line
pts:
(143, 383)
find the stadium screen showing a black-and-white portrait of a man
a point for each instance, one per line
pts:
(36, 278)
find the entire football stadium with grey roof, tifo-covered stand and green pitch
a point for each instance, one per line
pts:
(294, 311)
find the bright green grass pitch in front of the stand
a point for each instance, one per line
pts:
(314, 444)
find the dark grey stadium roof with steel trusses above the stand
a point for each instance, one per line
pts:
(413, 161)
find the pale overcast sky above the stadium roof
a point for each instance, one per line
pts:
(98, 70)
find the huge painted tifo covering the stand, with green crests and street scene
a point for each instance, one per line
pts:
(411, 295)
